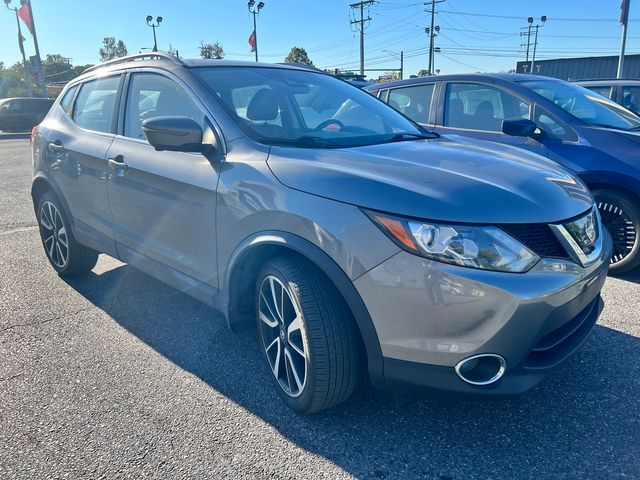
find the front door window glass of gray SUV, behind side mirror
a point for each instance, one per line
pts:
(152, 95)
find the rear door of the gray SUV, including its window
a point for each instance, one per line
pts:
(76, 153)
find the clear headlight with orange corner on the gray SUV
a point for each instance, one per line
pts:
(487, 248)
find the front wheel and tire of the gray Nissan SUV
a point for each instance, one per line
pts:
(307, 335)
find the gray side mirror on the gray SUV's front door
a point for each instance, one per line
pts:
(175, 134)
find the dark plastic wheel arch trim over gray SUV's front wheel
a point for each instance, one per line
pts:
(331, 269)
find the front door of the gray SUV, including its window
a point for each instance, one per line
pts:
(163, 202)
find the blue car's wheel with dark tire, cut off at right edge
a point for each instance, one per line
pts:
(621, 216)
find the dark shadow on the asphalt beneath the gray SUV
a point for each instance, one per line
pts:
(581, 422)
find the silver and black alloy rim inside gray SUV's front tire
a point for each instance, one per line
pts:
(284, 336)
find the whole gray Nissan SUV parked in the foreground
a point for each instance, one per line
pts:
(352, 239)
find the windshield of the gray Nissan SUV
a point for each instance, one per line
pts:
(305, 109)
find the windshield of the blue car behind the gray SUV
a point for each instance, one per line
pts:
(585, 104)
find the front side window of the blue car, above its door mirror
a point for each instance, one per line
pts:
(481, 107)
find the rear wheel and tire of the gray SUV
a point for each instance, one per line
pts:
(63, 251)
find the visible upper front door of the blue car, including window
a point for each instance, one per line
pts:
(477, 110)
